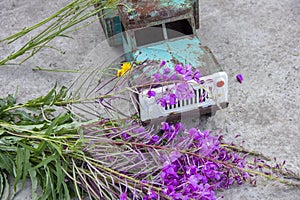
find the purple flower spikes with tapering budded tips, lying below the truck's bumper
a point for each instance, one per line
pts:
(196, 166)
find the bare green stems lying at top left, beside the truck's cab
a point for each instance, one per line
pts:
(64, 22)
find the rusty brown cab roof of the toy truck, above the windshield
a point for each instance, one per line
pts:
(143, 13)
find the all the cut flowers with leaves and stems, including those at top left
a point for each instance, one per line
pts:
(112, 155)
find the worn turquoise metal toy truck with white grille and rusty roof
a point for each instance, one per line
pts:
(162, 30)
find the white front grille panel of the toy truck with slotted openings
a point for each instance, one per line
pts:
(205, 95)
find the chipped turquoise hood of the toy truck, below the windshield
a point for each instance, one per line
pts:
(187, 50)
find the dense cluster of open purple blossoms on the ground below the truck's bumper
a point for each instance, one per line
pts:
(199, 169)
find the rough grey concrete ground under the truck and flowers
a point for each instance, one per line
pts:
(260, 39)
